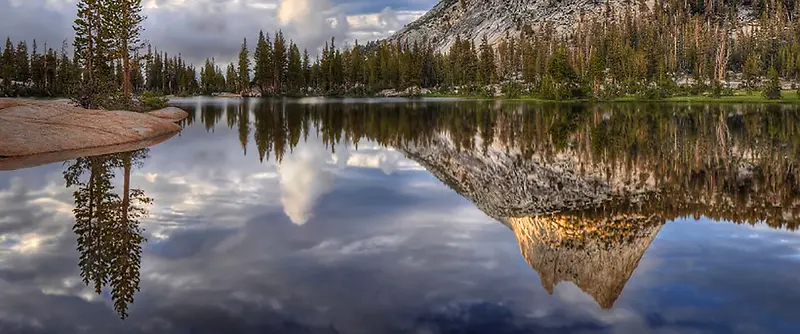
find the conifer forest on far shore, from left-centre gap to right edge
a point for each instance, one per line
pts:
(675, 47)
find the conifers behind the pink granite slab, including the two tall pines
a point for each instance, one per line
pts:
(106, 68)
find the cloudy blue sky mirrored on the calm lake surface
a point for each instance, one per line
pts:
(356, 240)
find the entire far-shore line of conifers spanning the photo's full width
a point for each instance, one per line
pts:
(675, 47)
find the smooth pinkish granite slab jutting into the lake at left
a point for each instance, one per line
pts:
(58, 129)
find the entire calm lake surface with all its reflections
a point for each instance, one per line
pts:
(416, 216)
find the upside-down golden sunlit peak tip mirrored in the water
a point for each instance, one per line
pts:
(597, 255)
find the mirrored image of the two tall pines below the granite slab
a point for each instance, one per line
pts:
(107, 224)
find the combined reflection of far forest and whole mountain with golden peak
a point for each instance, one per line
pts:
(584, 188)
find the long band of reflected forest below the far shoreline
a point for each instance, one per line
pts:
(736, 163)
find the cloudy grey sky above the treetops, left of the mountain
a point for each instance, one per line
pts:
(215, 28)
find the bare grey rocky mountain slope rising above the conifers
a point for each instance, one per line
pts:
(472, 19)
